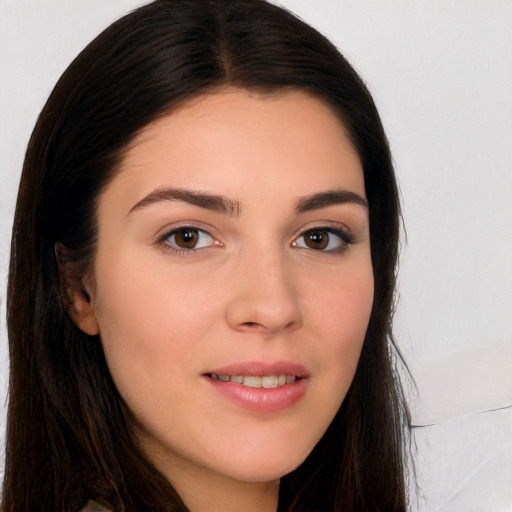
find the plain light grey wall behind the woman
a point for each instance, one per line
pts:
(441, 73)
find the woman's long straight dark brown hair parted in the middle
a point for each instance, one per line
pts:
(67, 437)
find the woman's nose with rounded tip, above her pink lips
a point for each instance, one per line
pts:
(263, 297)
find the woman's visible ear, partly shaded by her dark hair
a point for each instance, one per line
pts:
(76, 290)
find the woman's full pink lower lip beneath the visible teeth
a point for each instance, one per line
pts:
(261, 399)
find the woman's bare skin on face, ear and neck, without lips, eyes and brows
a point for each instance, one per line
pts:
(252, 290)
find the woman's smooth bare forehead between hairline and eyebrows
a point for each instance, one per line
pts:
(240, 143)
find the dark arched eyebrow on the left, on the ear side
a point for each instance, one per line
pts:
(213, 202)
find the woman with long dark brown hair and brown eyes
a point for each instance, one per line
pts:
(202, 276)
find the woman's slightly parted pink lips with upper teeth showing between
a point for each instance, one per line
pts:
(260, 387)
